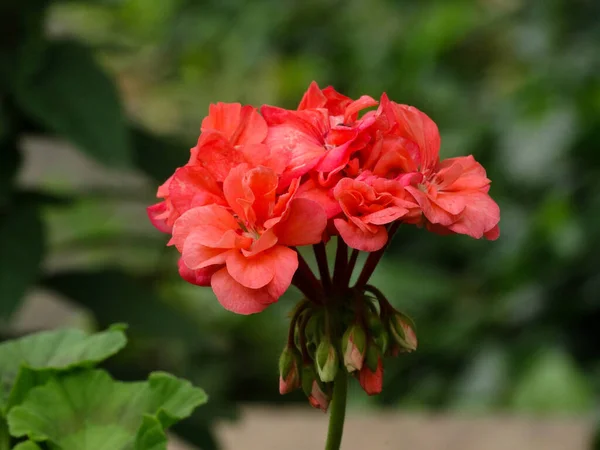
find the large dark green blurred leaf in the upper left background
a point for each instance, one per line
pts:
(72, 96)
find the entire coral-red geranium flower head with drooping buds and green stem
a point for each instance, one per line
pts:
(261, 182)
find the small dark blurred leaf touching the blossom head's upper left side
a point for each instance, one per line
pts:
(156, 156)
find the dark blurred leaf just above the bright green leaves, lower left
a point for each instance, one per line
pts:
(114, 296)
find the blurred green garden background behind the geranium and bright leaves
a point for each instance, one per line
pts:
(101, 100)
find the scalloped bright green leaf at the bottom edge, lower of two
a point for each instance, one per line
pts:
(91, 411)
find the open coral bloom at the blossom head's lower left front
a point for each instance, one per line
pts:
(246, 242)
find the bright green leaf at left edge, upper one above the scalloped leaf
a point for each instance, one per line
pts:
(30, 361)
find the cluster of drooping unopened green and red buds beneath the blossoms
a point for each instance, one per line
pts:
(324, 341)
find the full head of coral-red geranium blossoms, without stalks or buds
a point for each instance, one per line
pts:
(258, 184)
